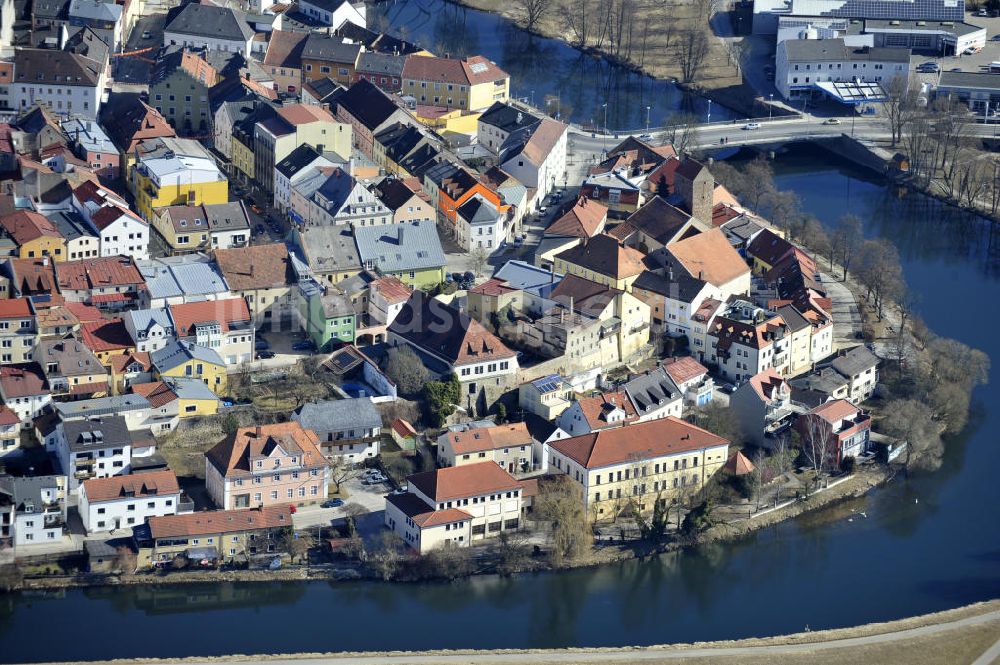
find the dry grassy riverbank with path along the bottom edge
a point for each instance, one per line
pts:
(961, 635)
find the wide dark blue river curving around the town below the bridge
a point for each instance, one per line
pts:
(929, 543)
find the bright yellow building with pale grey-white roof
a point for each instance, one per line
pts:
(176, 172)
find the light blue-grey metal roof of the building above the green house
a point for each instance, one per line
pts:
(400, 247)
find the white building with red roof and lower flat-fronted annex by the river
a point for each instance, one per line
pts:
(457, 505)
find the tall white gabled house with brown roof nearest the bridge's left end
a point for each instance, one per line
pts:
(536, 156)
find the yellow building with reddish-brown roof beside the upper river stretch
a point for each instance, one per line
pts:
(471, 84)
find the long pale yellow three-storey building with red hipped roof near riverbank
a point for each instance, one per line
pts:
(632, 467)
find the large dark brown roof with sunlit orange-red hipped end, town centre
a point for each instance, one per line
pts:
(446, 332)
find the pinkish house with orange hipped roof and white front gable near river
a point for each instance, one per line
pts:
(267, 466)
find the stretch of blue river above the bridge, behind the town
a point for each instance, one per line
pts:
(541, 67)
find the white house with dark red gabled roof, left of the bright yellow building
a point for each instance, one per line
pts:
(121, 232)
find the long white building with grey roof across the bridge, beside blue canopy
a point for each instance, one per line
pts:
(805, 67)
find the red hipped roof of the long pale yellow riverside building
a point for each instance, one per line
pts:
(638, 441)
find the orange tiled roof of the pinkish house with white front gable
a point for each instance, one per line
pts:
(234, 456)
